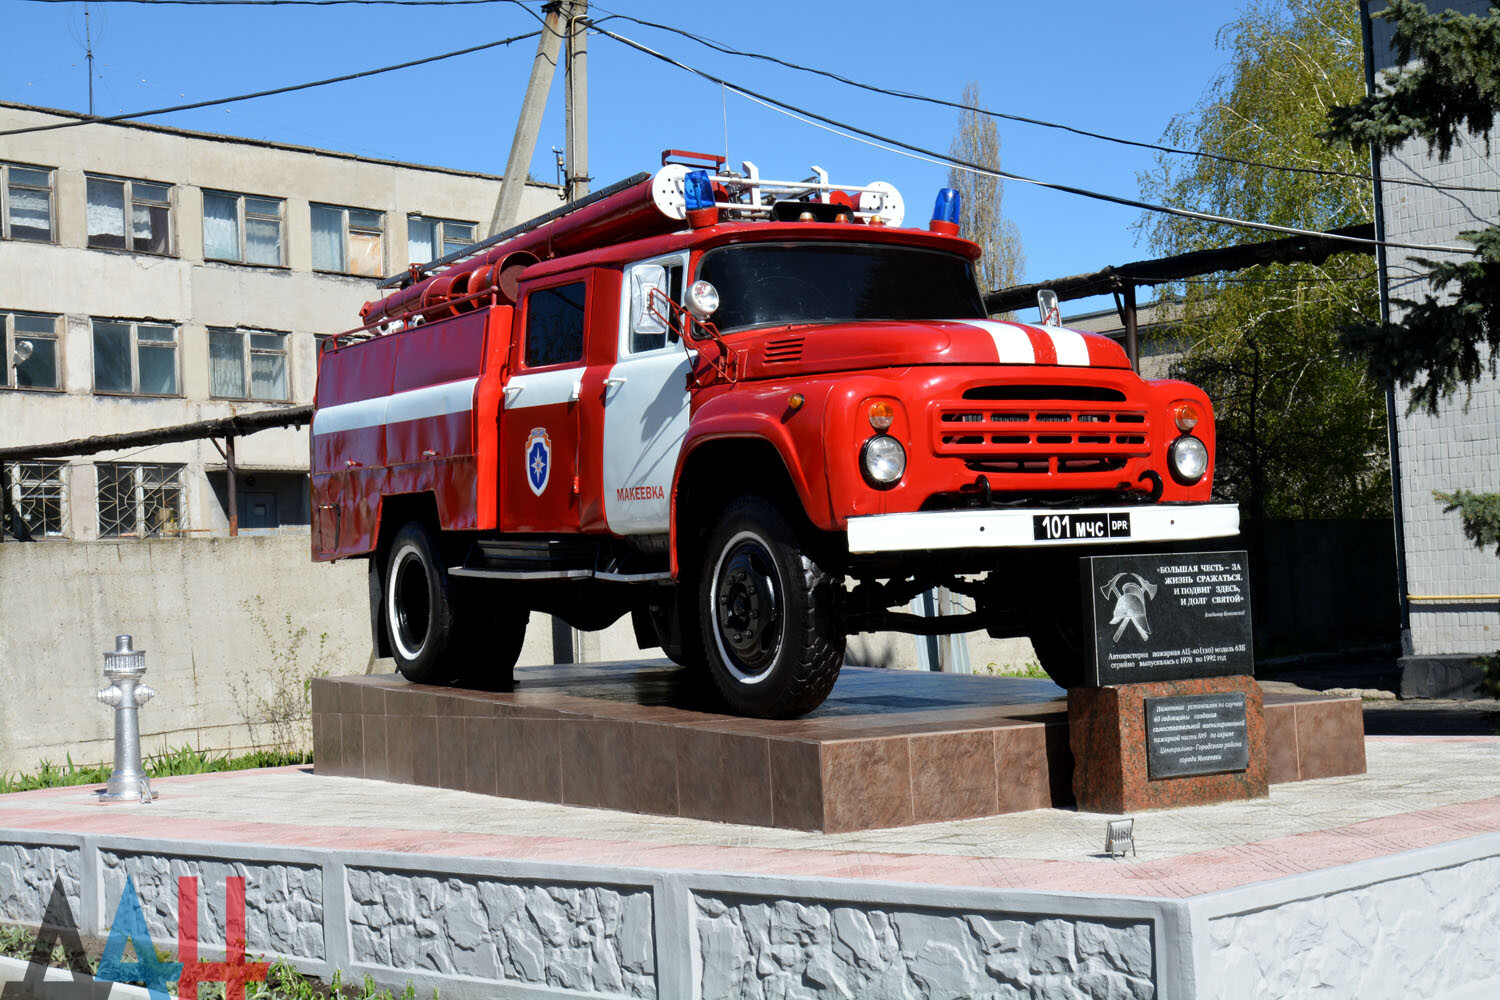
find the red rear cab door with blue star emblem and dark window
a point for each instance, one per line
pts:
(539, 428)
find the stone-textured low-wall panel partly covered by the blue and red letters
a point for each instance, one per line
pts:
(283, 902)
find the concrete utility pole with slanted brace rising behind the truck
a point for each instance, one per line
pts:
(565, 19)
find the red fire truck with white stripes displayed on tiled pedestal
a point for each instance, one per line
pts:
(758, 418)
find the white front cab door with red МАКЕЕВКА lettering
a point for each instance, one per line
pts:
(646, 404)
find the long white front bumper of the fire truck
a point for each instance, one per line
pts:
(1018, 528)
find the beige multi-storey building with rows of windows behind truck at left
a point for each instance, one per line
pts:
(158, 277)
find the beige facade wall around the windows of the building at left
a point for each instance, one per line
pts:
(185, 290)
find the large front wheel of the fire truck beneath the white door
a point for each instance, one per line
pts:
(769, 614)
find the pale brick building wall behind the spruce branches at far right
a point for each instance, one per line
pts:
(1457, 448)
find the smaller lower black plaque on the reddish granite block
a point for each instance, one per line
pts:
(1196, 734)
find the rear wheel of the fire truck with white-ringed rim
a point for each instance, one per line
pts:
(418, 606)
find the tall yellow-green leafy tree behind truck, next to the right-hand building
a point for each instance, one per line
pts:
(1301, 427)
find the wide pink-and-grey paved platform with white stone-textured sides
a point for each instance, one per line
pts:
(1375, 885)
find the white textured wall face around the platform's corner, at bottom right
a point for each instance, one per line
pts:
(1427, 935)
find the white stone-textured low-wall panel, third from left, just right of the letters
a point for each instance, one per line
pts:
(587, 939)
